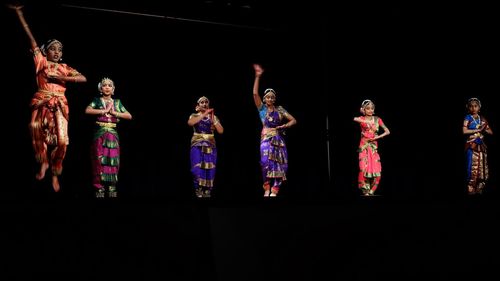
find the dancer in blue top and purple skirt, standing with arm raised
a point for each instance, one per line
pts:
(273, 152)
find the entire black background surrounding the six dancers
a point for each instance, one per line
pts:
(418, 63)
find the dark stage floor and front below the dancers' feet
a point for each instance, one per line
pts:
(361, 239)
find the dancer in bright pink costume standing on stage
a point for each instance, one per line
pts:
(370, 166)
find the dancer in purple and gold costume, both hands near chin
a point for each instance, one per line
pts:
(203, 148)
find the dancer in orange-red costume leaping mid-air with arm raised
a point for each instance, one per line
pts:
(49, 106)
